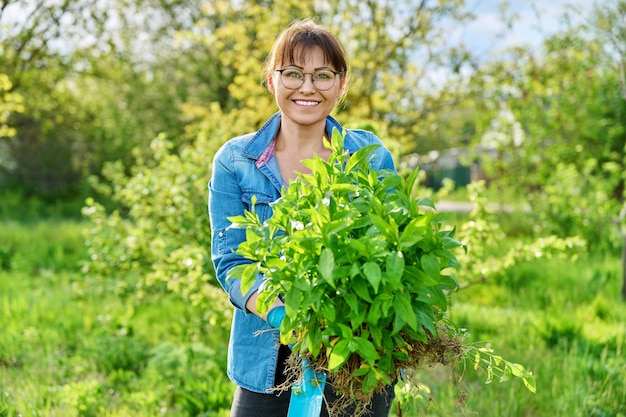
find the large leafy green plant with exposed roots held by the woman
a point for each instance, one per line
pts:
(364, 269)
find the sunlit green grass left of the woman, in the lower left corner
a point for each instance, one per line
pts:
(74, 347)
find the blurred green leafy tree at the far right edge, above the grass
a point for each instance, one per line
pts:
(567, 157)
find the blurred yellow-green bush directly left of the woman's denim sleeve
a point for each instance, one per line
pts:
(160, 231)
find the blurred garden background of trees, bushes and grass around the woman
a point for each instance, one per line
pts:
(116, 108)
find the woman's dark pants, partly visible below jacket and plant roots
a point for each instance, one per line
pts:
(251, 404)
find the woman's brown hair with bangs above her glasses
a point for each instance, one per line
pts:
(300, 37)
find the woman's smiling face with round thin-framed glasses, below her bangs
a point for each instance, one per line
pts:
(306, 105)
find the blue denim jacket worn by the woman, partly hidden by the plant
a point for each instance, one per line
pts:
(239, 173)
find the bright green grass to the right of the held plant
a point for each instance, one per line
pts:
(564, 321)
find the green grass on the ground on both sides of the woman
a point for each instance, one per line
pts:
(71, 346)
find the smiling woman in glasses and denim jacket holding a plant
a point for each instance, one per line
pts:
(307, 72)
